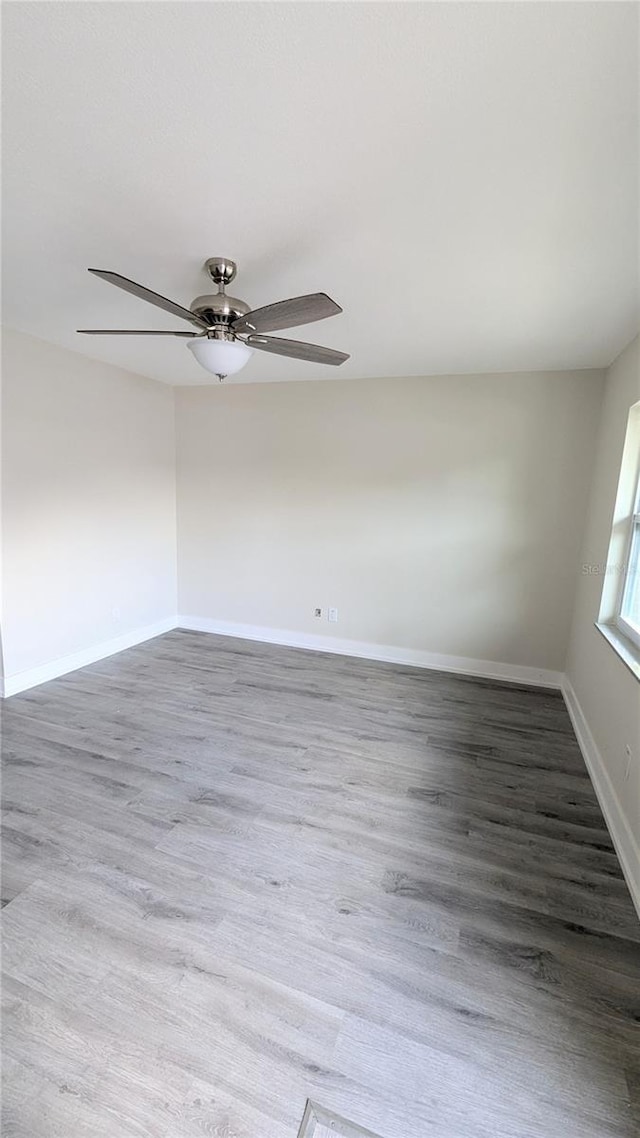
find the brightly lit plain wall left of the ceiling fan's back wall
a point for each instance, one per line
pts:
(88, 504)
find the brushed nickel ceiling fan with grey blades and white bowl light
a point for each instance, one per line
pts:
(228, 329)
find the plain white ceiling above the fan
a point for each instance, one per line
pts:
(461, 177)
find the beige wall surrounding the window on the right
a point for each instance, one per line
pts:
(608, 691)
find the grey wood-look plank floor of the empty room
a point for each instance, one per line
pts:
(239, 877)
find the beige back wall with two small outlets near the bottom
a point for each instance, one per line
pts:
(441, 514)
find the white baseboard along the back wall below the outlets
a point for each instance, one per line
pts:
(415, 658)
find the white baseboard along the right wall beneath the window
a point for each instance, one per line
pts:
(626, 844)
